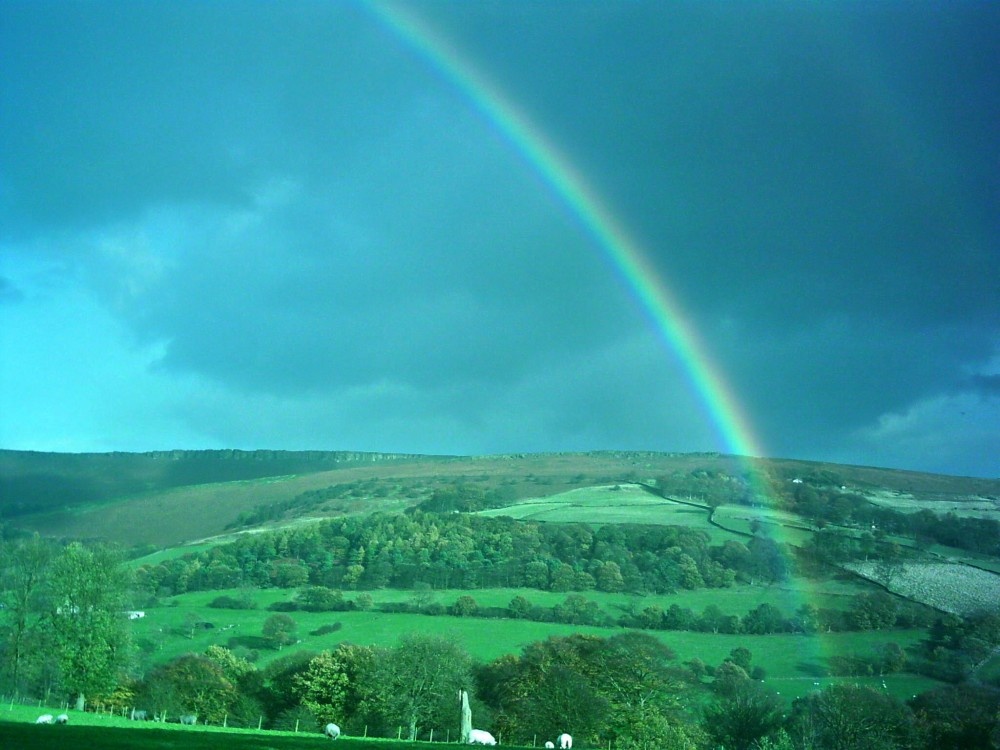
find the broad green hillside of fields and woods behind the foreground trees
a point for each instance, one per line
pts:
(816, 576)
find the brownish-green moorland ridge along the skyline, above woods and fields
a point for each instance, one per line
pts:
(172, 497)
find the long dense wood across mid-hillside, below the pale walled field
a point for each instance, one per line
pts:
(454, 550)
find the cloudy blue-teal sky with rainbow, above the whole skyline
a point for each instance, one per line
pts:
(338, 225)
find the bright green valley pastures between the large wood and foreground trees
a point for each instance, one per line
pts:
(796, 660)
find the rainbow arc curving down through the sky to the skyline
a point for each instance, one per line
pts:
(572, 189)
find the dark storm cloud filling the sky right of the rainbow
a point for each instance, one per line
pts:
(810, 181)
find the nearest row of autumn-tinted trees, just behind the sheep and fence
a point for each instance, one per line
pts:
(626, 692)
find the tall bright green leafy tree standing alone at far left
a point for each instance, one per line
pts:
(90, 633)
